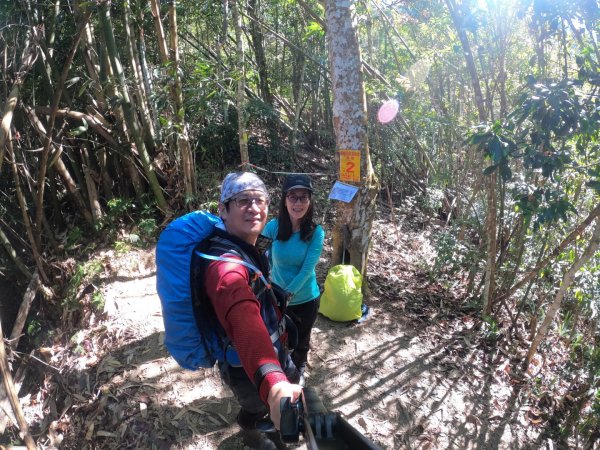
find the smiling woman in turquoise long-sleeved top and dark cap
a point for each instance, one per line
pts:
(295, 252)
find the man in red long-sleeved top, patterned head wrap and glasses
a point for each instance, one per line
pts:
(251, 323)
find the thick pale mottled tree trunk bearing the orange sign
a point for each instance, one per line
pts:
(352, 231)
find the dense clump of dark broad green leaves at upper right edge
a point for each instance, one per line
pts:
(550, 122)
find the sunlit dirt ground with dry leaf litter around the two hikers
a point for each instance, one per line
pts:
(419, 373)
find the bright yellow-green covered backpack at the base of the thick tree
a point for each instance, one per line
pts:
(342, 296)
